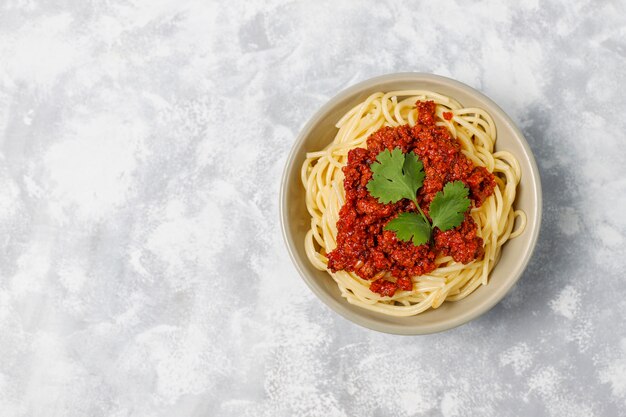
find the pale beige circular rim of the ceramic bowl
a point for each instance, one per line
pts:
(342, 307)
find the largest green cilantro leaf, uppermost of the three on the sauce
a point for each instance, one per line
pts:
(396, 176)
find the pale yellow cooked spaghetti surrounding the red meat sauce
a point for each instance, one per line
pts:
(495, 218)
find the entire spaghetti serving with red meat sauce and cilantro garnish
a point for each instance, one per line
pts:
(410, 205)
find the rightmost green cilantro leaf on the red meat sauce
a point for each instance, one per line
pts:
(447, 209)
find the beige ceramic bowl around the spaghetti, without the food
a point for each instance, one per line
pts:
(320, 130)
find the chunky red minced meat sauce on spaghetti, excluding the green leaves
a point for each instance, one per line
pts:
(375, 254)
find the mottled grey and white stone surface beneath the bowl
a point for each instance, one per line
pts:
(142, 270)
